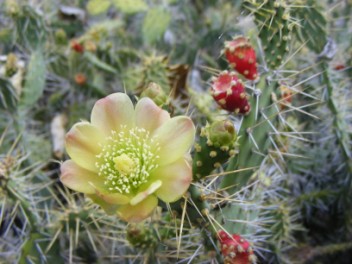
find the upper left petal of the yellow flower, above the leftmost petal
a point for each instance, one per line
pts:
(82, 144)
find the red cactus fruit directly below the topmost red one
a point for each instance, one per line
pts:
(228, 91)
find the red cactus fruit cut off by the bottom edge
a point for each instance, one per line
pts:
(235, 249)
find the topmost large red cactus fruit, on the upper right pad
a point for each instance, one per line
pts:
(241, 56)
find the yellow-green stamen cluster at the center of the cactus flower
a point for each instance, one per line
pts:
(127, 159)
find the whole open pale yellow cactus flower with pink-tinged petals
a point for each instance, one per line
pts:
(126, 158)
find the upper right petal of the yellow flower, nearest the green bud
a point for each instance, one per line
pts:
(175, 137)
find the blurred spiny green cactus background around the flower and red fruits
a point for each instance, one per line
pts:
(287, 189)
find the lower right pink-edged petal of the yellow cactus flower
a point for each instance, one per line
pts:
(176, 178)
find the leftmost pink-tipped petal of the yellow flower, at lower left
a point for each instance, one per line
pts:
(78, 178)
